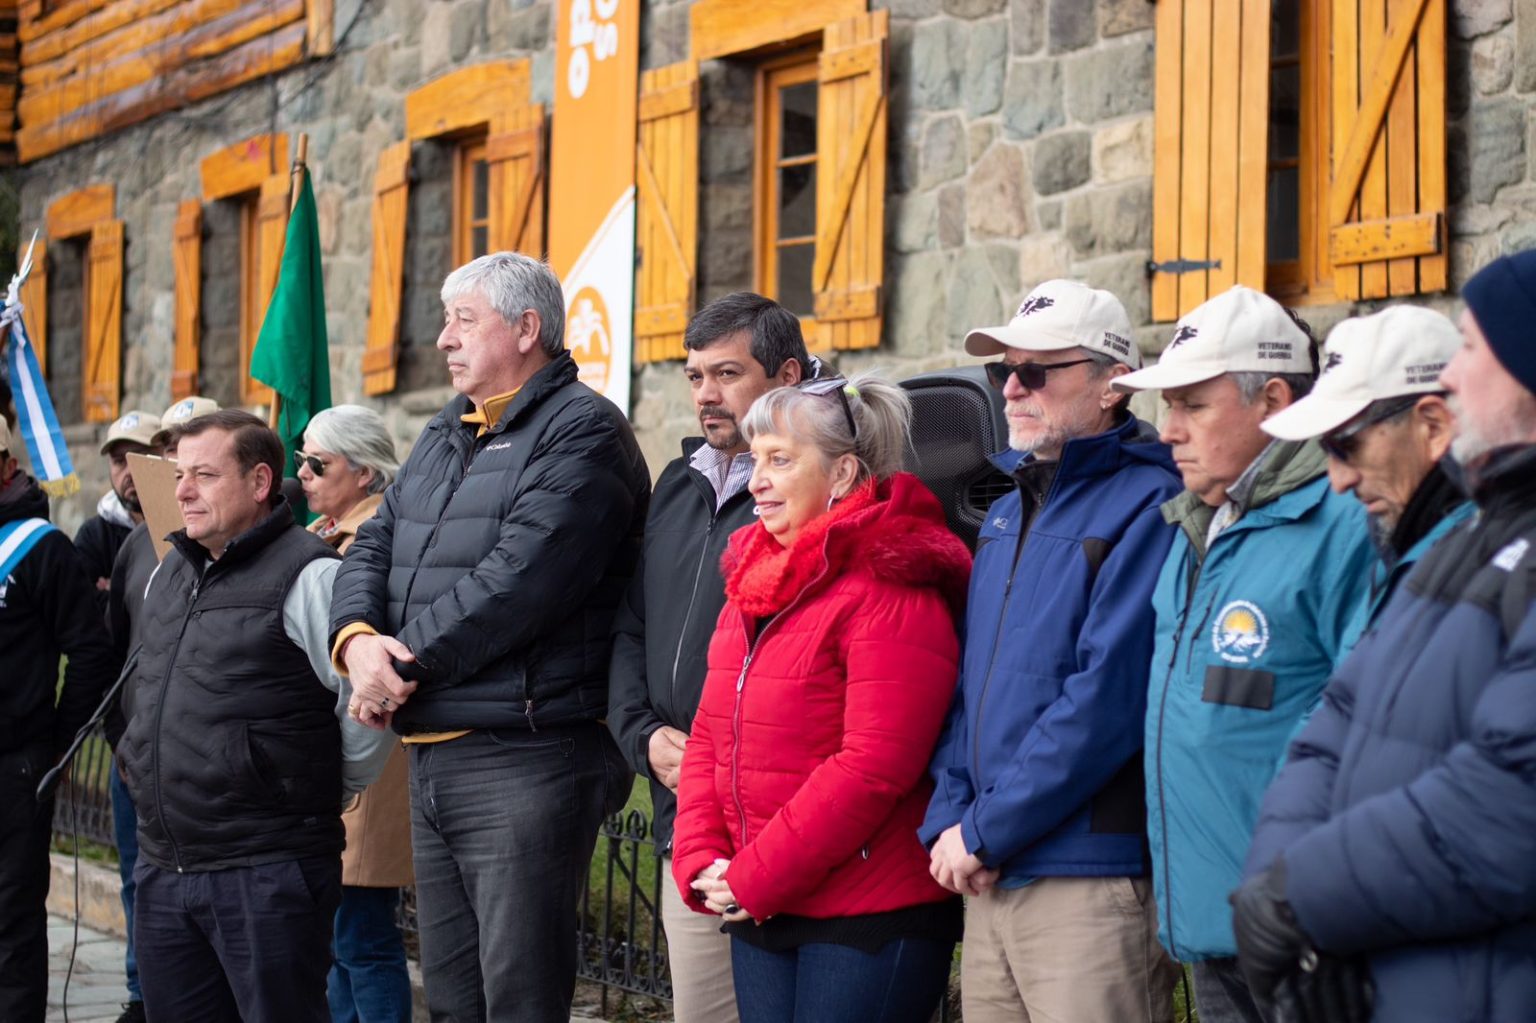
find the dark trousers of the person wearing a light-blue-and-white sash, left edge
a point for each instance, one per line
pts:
(24, 886)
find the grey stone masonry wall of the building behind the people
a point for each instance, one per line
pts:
(1021, 150)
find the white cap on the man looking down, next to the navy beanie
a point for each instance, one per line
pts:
(1392, 354)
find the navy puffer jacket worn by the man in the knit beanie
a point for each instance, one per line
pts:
(1408, 809)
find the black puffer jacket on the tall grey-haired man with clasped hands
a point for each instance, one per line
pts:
(500, 558)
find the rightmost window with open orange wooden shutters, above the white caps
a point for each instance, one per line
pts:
(1300, 148)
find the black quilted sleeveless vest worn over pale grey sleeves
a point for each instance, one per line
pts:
(233, 752)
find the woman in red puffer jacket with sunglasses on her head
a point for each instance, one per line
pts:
(830, 674)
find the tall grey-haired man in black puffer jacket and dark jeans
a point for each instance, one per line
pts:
(474, 615)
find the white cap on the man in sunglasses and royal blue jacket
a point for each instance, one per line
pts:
(1062, 316)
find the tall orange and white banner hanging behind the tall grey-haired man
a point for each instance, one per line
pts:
(592, 185)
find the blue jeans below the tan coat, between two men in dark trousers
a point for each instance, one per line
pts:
(369, 982)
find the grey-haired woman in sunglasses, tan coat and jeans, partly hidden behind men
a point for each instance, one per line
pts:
(345, 466)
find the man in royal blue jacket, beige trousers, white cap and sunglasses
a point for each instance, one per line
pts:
(1038, 812)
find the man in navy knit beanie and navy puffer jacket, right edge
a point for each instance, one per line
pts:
(1402, 833)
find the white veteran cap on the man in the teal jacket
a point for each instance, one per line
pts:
(1240, 331)
